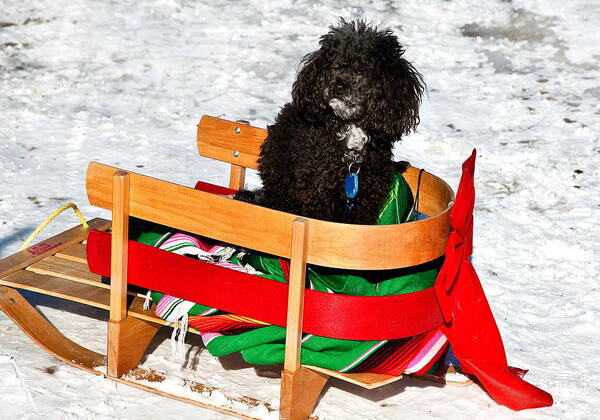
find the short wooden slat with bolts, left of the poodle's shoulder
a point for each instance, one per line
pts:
(230, 141)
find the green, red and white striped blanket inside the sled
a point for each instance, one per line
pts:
(261, 343)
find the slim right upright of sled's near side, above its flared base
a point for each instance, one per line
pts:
(296, 294)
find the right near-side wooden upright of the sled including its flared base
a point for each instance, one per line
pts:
(300, 387)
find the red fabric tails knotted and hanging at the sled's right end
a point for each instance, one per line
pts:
(469, 323)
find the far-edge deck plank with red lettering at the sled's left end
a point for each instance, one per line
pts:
(48, 247)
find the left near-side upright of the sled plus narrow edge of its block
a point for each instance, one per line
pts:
(118, 271)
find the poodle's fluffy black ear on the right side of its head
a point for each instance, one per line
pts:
(394, 108)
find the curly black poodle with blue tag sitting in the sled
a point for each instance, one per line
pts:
(329, 153)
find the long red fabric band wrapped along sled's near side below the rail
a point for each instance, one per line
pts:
(328, 315)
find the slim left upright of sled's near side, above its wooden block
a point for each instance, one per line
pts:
(120, 236)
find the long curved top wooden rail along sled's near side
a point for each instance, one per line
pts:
(250, 226)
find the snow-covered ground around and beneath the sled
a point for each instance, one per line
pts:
(125, 82)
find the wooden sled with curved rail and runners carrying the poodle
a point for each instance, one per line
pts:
(58, 266)
